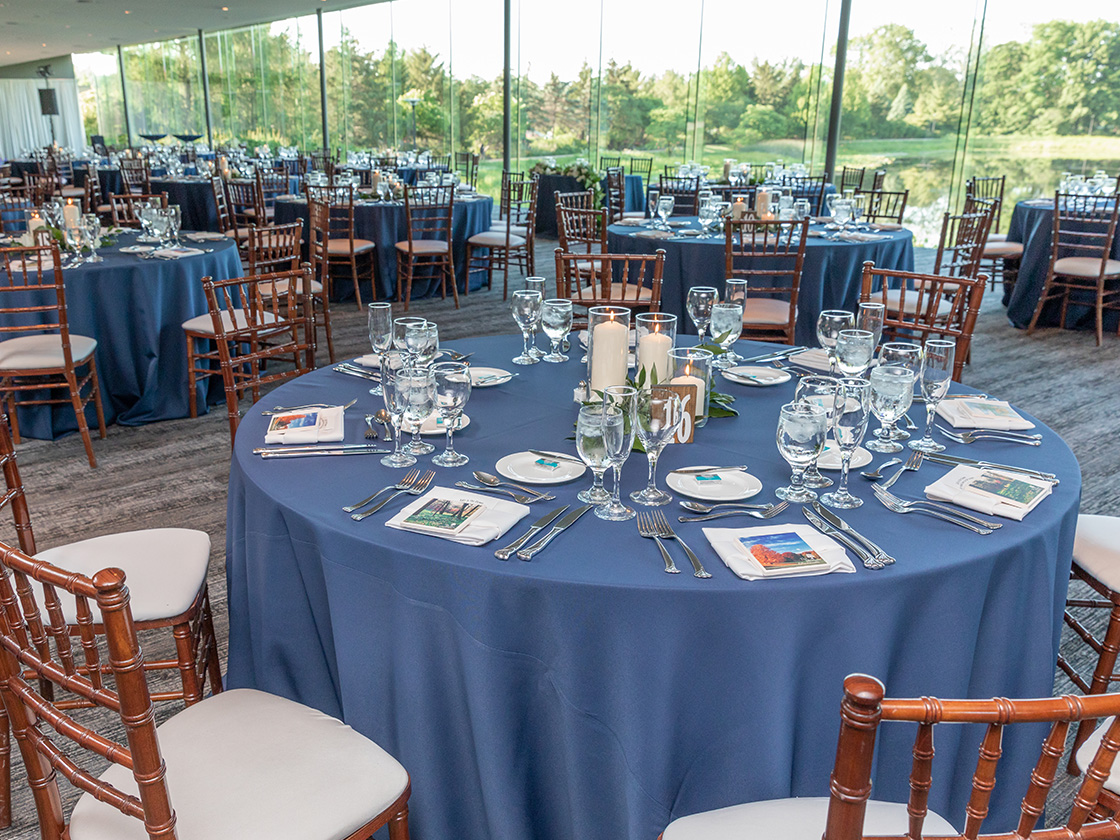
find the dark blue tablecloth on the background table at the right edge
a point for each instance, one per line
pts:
(1033, 225)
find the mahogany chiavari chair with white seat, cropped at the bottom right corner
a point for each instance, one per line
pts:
(850, 814)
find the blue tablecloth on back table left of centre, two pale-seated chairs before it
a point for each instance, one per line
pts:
(386, 225)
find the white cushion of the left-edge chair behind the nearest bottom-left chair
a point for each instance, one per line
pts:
(165, 568)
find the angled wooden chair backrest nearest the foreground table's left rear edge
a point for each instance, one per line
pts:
(266, 328)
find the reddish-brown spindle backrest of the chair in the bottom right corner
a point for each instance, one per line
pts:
(864, 711)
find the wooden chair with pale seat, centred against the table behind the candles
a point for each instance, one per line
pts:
(770, 256)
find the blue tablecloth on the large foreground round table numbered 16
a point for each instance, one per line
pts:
(587, 694)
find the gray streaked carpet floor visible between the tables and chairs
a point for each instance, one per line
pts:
(175, 473)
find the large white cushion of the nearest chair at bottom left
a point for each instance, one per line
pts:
(246, 764)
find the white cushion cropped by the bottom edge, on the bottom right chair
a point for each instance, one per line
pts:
(794, 819)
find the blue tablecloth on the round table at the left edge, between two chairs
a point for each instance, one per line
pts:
(136, 309)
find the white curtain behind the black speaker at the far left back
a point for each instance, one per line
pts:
(23, 127)
